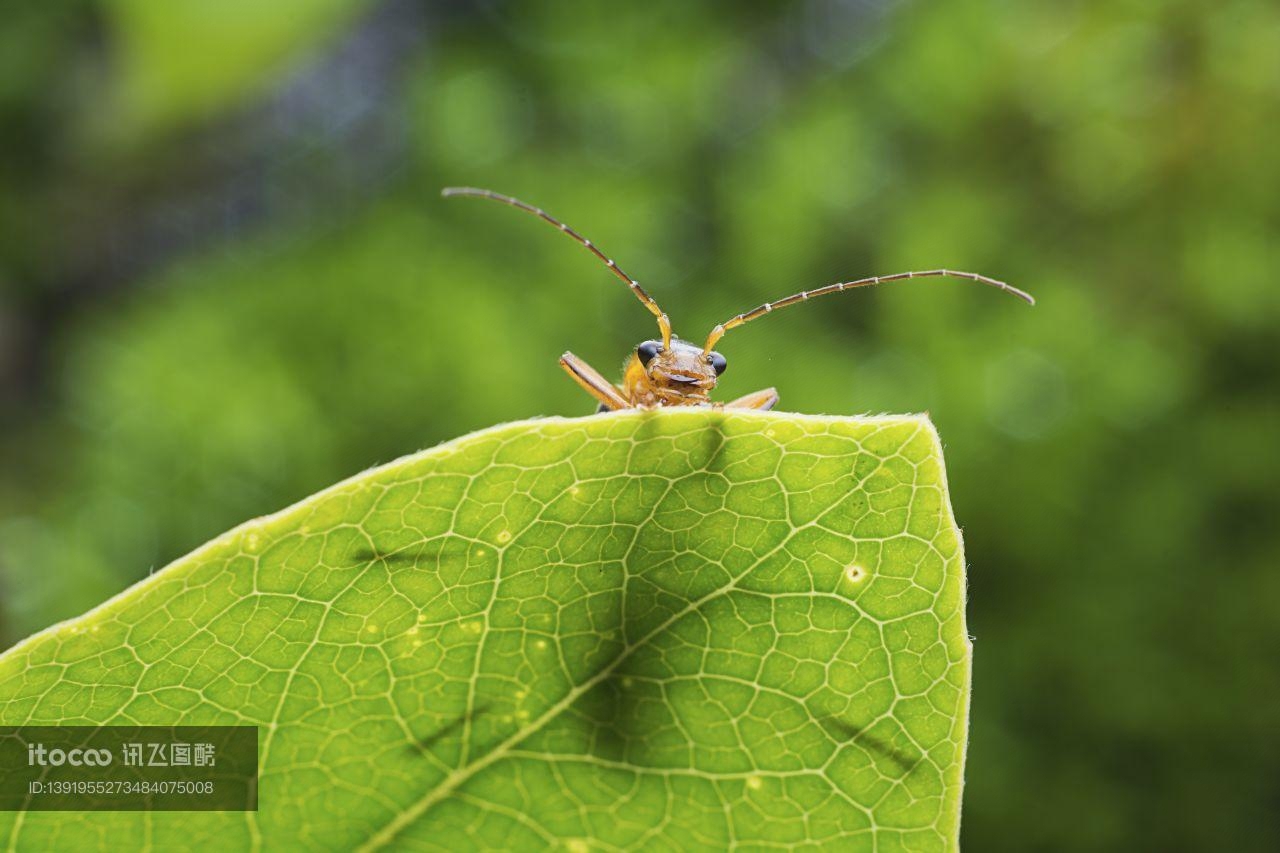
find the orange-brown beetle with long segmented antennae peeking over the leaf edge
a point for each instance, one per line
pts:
(670, 372)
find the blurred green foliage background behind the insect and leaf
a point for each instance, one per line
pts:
(227, 281)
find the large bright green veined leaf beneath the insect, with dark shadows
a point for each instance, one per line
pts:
(684, 628)
